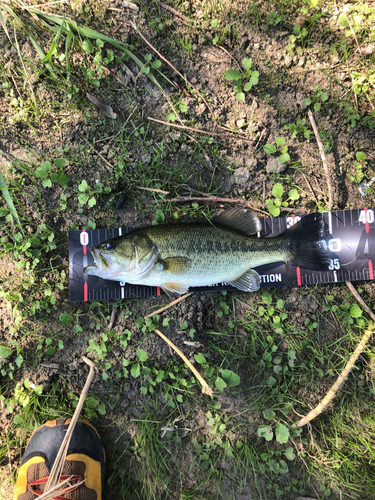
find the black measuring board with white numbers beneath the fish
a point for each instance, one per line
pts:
(349, 235)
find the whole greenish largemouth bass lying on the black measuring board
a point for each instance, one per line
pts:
(182, 255)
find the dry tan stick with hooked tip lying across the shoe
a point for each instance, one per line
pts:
(60, 458)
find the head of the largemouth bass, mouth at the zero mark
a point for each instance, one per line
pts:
(125, 258)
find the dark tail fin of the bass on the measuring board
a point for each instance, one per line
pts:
(305, 243)
